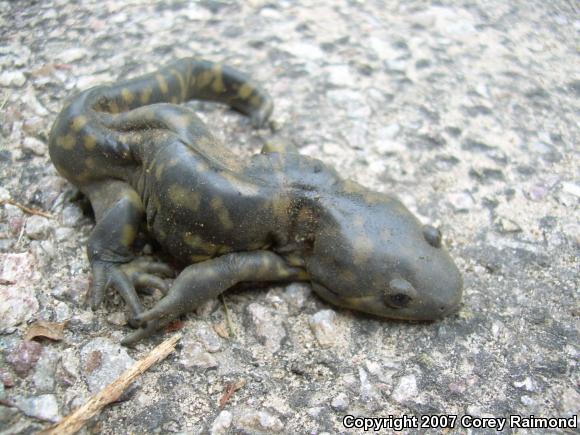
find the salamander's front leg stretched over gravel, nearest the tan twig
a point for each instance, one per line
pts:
(202, 281)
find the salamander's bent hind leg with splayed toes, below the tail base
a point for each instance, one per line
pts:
(119, 213)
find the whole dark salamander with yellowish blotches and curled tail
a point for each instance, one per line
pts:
(147, 162)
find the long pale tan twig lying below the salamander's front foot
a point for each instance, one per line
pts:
(74, 422)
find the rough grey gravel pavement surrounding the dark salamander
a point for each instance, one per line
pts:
(467, 110)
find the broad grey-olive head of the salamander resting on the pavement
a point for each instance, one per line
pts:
(373, 255)
